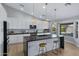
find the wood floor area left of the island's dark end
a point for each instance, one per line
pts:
(15, 49)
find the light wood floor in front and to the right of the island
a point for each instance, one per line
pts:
(69, 50)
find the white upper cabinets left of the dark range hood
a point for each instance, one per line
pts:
(19, 23)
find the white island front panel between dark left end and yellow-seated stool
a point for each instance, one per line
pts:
(33, 48)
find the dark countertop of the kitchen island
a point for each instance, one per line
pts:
(41, 37)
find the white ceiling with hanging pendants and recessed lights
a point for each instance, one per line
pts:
(62, 11)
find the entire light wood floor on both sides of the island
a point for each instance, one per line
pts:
(69, 50)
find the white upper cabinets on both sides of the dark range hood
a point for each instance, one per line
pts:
(23, 23)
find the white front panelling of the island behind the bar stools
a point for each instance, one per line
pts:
(33, 46)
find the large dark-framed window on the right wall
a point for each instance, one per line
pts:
(66, 29)
